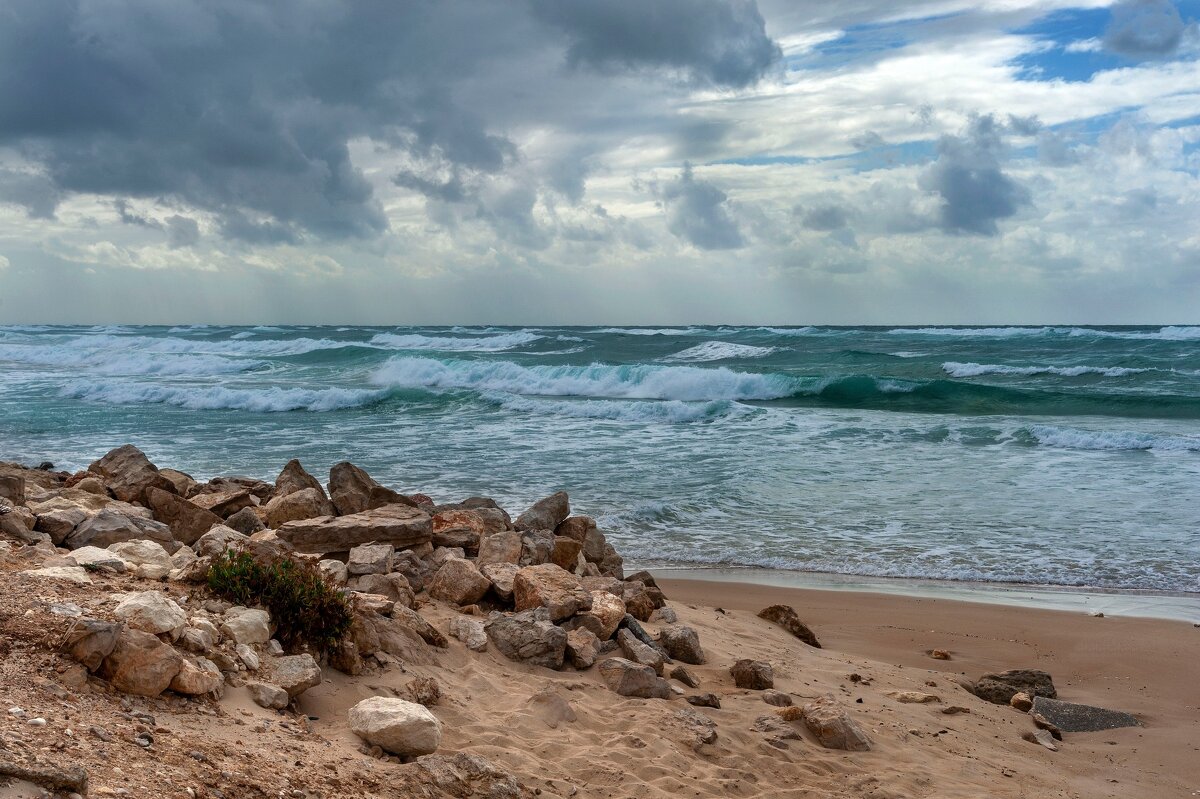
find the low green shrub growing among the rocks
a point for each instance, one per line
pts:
(305, 608)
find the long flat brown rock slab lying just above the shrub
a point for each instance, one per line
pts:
(397, 525)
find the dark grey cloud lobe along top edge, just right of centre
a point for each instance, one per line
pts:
(710, 41)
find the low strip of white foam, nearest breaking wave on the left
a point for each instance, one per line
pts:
(272, 400)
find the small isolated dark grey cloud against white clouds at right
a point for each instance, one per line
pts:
(976, 194)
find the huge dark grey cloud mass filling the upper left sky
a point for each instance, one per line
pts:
(247, 109)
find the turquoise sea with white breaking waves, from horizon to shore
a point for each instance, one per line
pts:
(1064, 456)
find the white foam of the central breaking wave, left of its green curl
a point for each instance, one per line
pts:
(685, 383)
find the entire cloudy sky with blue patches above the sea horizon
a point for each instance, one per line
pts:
(599, 163)
